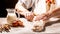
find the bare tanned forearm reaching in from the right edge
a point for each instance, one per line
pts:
(53, 13)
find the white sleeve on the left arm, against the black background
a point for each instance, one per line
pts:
(20, 8)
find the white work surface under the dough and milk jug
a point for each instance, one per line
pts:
(53, 28)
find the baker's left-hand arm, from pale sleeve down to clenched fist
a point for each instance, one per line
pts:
(21, 10)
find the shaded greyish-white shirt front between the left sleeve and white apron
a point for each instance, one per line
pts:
(26, 3)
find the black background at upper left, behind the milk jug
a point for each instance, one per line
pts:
(4, 4)
